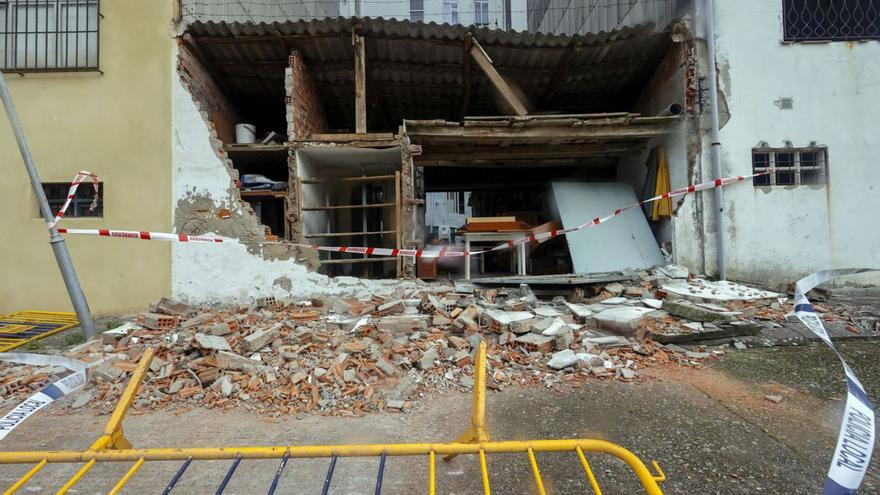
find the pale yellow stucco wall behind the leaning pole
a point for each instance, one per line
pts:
(116, 124)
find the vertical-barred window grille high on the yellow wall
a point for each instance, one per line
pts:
(49, 35)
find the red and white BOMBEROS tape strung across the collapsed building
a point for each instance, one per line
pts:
(416, 253)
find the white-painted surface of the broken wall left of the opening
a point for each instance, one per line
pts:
(227, 272)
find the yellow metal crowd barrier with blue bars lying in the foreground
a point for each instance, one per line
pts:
(112, 446)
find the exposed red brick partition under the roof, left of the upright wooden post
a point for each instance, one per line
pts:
(305, 116)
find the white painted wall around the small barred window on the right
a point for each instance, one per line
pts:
(780, 234)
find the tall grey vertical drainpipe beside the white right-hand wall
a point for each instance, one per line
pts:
(715, 140)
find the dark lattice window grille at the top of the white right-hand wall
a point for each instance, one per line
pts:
(831, 20)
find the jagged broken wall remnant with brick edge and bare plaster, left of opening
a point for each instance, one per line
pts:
(205, 200)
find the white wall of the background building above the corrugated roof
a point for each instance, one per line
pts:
(434, 11)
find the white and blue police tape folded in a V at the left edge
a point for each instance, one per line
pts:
(50, 393)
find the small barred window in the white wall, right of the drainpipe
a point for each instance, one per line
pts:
(790, 166)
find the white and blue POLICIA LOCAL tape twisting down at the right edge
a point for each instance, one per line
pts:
(855, 442)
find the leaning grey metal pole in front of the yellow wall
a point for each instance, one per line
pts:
(65, 264)
